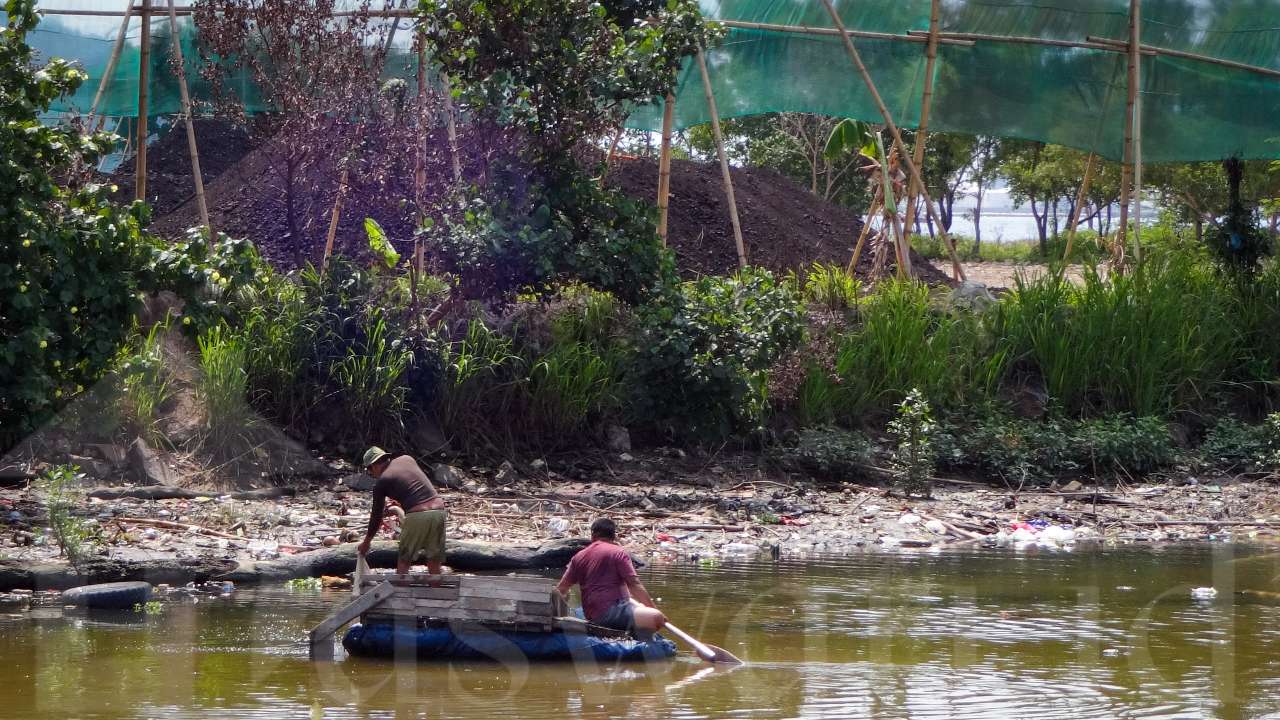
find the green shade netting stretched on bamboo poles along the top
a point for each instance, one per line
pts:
(1192, 111)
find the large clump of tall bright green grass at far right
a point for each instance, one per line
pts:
(1149, 343)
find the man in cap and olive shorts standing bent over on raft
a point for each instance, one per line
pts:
(423, 530)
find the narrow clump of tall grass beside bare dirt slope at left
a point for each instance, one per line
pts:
(223, 390)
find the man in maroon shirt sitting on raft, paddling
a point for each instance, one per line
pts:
(612, 594)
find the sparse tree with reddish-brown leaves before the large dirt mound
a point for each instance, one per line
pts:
(319, 71)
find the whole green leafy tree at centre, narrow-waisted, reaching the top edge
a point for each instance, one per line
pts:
(557, 76)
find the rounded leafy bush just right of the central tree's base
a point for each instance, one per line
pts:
(702, 354)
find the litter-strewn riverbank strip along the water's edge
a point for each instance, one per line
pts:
(669, 505)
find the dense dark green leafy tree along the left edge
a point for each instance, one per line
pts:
(72, 266)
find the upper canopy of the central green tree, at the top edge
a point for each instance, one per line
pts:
(561, 71)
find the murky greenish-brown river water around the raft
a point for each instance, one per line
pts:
(979, 635)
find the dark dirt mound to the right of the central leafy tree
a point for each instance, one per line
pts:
(785, 227)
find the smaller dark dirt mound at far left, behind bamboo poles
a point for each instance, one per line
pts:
(170, 183)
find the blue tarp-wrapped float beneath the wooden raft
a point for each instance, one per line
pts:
(435, 642)
